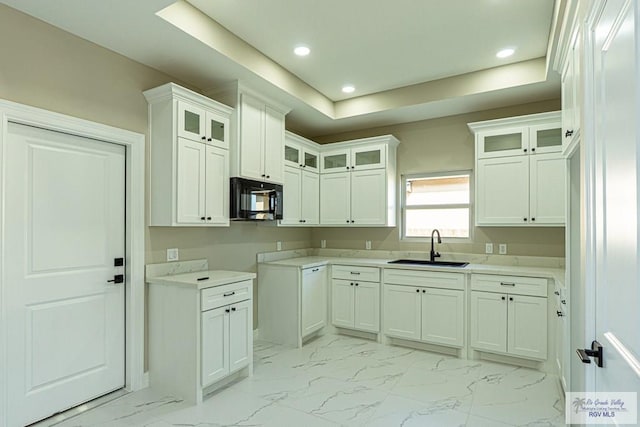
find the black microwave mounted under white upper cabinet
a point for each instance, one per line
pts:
(255, 200)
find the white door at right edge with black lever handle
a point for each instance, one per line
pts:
(617, 290)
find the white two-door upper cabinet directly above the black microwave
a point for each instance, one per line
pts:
(257, 134)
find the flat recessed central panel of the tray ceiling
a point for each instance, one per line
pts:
(381, 45)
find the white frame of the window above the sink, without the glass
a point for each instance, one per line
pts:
(403, 205)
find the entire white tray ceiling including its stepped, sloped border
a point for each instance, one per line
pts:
(408, 59)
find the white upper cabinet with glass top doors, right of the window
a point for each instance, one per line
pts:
(520, 171)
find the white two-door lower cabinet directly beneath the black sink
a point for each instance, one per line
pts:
(415, 309)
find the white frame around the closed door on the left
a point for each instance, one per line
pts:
(134, 144)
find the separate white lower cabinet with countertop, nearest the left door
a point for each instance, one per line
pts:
(199, 336)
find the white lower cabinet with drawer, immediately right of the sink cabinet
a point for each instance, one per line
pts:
(509, 315)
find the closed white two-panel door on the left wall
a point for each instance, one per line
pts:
(64, 226)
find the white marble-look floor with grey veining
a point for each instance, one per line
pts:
(337, 380)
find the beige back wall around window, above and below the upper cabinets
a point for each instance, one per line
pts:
(445, 144)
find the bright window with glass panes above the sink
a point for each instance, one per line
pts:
(439, 201)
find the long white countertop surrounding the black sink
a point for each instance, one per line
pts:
(314, 261)
